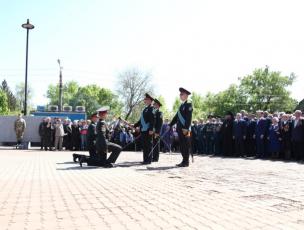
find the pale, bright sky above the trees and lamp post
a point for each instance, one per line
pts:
(203, 45)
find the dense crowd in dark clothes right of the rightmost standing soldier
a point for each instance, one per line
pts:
(260, 135)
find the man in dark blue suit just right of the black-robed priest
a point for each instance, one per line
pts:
(239, 135)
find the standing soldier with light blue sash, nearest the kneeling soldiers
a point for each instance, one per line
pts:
(146, 124)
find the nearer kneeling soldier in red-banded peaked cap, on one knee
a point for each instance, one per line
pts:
(102, 144)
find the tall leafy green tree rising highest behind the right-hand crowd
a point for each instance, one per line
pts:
(267, 90)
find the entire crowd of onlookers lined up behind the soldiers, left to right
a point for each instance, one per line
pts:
(260, 135)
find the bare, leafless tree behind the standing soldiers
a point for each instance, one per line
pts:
(132, 85)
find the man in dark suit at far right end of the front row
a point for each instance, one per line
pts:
(297, 136)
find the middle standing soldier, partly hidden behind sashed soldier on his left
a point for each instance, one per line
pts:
(158, 122)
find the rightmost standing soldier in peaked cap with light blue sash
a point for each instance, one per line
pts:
(183, 119)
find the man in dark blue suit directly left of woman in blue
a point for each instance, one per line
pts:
(260, 134)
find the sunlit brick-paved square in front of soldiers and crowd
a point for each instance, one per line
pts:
(45, 190)
